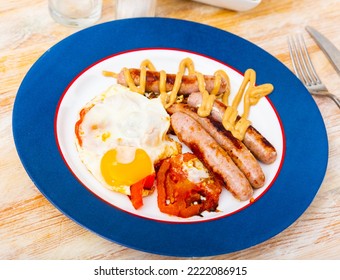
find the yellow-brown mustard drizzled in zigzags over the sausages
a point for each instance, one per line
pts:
(248, 90)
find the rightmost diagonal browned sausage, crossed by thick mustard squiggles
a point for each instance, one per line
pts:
(260, 147)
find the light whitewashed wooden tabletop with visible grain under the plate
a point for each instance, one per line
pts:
(31, 228)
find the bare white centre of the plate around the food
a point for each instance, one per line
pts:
(92, 83)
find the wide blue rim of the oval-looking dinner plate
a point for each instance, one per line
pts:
(301, 174)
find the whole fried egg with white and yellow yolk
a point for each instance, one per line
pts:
(121, 135)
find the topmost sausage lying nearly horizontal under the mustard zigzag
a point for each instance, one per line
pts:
(189, 82)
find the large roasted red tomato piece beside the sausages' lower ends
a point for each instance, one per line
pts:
(185, 187)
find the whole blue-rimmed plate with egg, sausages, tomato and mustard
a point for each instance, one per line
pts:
(156, 142)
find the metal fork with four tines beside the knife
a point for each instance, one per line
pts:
(305, 70)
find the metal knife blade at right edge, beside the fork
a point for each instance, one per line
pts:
(332, 53)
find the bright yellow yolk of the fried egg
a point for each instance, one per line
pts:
(116, 173)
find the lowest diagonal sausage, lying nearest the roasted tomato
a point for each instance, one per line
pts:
(191, 133)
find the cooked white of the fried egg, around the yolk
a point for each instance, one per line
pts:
(123, 120)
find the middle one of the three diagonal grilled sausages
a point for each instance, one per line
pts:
(237, 151)
